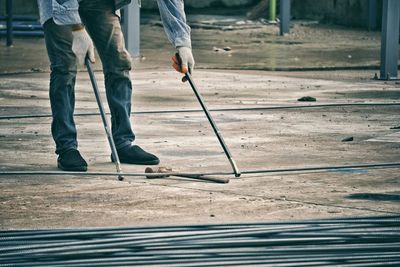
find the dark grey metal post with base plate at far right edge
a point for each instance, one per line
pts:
(390, 39)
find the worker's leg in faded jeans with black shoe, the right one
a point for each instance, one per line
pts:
(105, 30)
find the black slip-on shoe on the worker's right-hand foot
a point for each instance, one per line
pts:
(136, 155)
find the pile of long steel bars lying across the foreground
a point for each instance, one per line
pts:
(365, 241)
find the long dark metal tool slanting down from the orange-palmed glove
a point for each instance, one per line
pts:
(228, 154)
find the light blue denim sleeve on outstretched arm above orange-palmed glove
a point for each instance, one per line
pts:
(174, 20)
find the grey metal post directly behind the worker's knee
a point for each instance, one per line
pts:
(131, 27)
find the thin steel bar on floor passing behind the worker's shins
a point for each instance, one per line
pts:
(167, 111)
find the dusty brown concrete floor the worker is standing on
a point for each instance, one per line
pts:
(259, 139)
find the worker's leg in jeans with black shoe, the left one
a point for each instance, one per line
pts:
(62, 93)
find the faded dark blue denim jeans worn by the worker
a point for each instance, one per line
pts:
(105, 30)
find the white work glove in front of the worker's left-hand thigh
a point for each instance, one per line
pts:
(82, 45)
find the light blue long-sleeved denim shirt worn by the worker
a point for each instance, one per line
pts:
(65, 12)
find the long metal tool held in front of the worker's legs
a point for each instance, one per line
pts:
(104, 119)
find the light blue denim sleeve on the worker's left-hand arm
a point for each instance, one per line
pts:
(66, 12)
